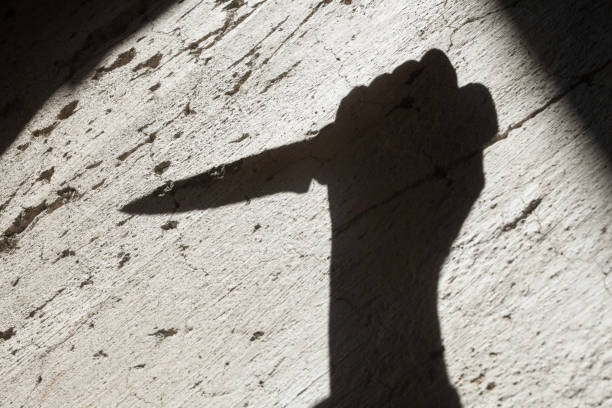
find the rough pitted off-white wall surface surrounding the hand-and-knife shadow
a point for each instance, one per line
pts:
(230, 306)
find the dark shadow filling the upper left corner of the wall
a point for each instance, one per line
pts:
(46, 43)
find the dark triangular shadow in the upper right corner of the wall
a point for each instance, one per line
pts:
(573, 42)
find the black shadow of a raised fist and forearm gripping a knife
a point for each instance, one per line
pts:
(403, 166)
